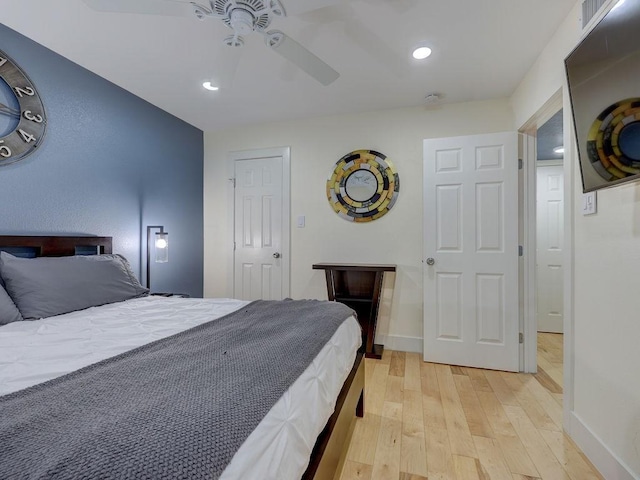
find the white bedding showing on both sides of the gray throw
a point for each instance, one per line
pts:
(279, 448)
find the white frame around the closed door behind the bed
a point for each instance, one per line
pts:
(232, 157)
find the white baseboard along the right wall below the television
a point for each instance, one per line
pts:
(607, 462)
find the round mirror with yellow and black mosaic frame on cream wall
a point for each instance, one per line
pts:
(363, 186)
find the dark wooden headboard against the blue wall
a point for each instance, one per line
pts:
(54, 246)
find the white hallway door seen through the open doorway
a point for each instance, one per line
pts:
(550, 240)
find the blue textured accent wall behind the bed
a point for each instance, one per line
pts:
(110, 164)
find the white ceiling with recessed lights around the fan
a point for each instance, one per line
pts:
(482, 49)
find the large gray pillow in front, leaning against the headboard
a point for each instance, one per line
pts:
(46, 286)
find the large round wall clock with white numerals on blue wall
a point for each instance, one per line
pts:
(22, 116)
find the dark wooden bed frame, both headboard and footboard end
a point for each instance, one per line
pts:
(329, 452)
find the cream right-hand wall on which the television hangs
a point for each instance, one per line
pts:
(603, 319)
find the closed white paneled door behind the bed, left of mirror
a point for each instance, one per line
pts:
(260, 229)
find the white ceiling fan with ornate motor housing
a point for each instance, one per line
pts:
(244, 17)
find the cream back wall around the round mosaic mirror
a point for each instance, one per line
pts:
(316, 144)
